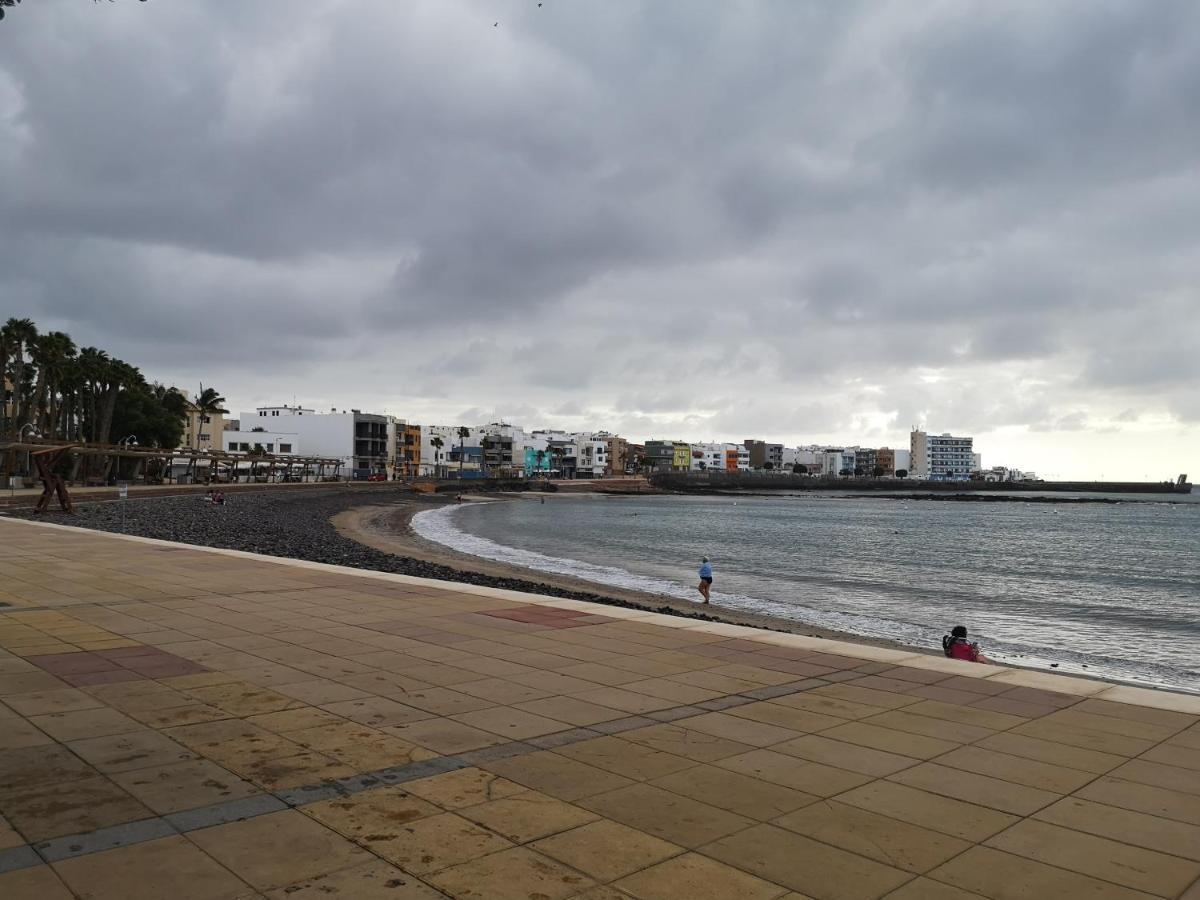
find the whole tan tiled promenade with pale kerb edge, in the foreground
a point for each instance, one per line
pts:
(189, 724)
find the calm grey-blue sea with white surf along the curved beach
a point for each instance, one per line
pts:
(1112, 591)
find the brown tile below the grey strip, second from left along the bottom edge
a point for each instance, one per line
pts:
(170, 867)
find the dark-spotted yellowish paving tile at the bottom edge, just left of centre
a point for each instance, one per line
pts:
(517, 874)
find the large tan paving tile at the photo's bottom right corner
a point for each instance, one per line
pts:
(1089, 855)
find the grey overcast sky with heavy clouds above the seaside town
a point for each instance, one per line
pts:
(797, 221)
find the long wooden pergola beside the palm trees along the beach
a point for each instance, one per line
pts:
(47, 459)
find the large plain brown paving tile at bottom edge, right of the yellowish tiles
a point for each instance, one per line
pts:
(807, 866)
